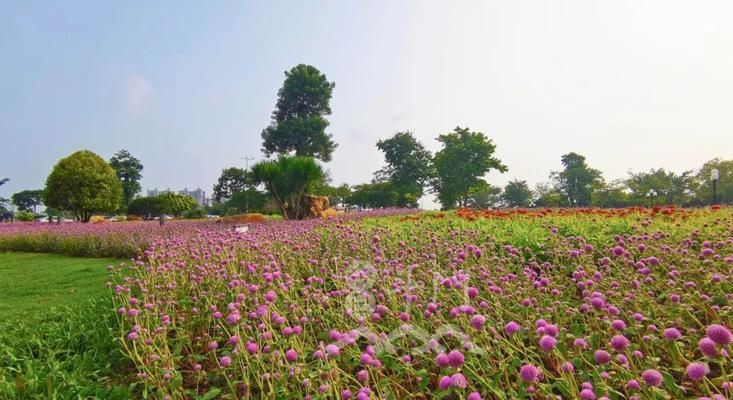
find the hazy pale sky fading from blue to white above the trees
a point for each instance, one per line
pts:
(187, 87)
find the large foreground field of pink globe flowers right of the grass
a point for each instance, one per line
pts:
(589, 304)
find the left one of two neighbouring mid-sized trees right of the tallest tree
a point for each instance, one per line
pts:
(408, 167)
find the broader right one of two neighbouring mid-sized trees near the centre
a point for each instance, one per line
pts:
(466, 157)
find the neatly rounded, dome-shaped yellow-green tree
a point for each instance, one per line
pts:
(84, 184)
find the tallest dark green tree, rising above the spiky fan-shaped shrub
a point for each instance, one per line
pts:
(299, 121)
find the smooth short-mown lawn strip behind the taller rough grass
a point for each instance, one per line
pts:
(33, 283)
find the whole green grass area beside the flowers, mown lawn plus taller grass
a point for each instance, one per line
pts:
(55, 321)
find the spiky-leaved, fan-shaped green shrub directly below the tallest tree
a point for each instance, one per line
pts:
(288, 179)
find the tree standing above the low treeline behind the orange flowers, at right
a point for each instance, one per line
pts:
(576, 181)
